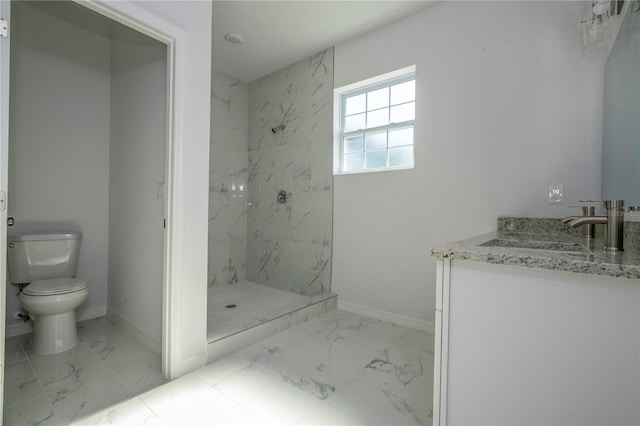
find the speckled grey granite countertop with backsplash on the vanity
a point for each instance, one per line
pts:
(548, 244)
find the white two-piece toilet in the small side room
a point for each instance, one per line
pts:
(46, 263)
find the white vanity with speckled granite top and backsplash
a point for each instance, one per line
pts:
(537, 325)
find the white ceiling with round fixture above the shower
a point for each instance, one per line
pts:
(280, 33)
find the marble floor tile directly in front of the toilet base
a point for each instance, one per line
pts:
(67, 368)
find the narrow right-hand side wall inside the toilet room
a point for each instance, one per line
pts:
(137, 165)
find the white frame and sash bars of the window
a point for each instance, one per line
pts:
(371, 84)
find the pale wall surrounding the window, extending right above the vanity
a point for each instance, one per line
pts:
(507, 103)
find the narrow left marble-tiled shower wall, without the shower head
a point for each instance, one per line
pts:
(228, 193)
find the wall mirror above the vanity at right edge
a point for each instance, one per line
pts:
(621, 150)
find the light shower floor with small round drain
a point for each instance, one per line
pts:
(253, 304)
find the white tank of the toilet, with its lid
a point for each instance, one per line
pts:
(42, 256)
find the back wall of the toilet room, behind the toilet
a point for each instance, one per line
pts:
(59, 134)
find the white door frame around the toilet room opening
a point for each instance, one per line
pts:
(188, 103)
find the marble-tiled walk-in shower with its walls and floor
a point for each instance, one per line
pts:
(270, 198)
